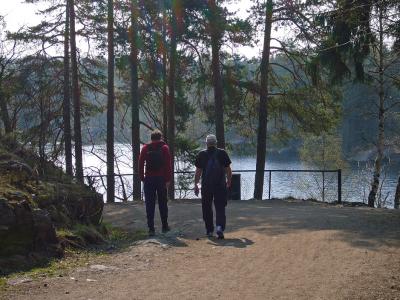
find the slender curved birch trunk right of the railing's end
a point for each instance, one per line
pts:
(381, 118)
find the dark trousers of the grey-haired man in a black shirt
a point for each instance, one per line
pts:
(219, 197)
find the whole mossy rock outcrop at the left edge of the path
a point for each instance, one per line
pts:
(33, 207)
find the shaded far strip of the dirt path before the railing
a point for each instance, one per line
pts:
(360, 227)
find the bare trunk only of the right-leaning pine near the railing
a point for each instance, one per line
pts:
(263, 113)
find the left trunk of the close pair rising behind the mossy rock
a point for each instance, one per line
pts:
(67, 99)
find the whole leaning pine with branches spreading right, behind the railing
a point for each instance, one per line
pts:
(288, 88)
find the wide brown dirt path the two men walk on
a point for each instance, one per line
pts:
(273, 250)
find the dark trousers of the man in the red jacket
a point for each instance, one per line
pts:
(154, 188)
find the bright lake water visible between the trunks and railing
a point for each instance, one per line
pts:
(355, 181)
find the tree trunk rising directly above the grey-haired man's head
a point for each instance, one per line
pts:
(216, 36)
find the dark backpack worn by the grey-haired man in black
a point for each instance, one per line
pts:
(214, 173)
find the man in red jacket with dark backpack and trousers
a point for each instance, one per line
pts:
(156, 179)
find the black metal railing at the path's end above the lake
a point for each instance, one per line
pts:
(321, 185)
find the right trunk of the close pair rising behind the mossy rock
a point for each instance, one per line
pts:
(76, 94)
